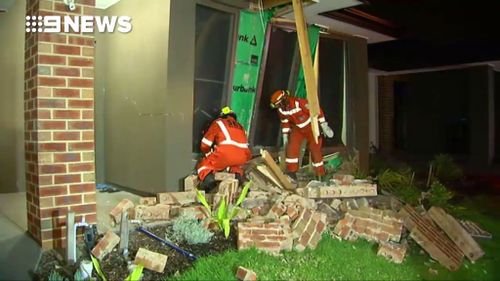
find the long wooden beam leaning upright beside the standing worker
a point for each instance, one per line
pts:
(305, 54)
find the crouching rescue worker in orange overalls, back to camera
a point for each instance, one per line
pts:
(225, 145)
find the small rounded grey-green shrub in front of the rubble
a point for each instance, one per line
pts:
(186, 227)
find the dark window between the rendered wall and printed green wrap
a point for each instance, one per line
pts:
(213, 50)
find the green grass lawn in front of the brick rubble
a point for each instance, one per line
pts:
(341, 260)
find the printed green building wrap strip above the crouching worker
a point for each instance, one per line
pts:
(251, 40)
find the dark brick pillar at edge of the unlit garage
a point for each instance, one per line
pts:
(386, 113)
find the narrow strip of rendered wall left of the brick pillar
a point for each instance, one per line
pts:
(11, 92)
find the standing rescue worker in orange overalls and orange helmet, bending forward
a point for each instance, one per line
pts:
(296, 126)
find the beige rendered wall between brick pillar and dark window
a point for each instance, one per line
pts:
(145, 82)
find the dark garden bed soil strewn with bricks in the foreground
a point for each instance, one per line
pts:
(115, 266)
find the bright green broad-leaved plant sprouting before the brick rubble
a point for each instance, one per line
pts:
(225, 211)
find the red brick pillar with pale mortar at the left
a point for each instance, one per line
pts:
(59, 125)
